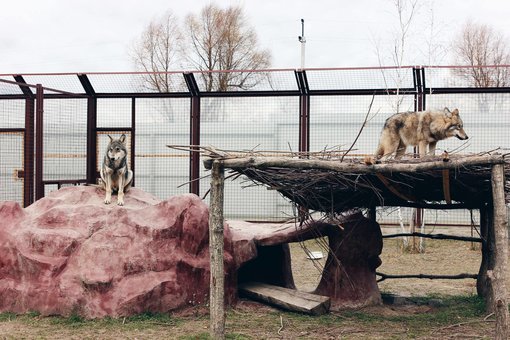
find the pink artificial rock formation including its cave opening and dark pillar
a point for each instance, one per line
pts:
(69, 253)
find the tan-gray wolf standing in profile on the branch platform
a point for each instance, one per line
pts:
(423, 129)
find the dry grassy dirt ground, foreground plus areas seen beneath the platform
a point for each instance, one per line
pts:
(251, 320)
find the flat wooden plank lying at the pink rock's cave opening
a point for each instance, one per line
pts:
(288, 299)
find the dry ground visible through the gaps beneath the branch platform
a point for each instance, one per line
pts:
(440, 257)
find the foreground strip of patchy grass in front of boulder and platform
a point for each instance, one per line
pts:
(426, 317)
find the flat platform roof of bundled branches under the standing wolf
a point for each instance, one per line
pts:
(326, 181)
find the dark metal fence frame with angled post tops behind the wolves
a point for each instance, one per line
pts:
(34, 116)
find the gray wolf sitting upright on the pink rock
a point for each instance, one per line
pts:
(115, 173)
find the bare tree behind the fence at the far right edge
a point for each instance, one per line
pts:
(479, 46)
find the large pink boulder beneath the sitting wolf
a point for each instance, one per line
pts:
(69, 253)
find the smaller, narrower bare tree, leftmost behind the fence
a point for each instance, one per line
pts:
(158, 52)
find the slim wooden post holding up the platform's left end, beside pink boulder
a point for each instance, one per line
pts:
(217, 289)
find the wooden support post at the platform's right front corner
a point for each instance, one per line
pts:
(498, 273)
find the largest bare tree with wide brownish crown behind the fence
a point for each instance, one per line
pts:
(221, 39)
